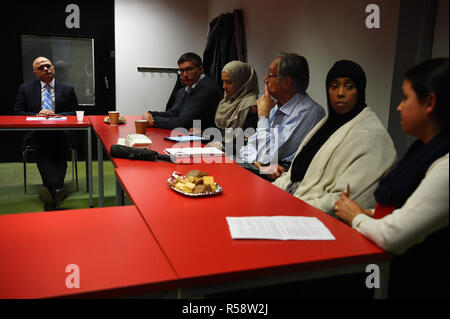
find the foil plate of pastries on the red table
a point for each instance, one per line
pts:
(194, 184)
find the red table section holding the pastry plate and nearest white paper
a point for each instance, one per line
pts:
(194, 234)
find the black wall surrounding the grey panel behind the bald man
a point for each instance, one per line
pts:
(48, 18)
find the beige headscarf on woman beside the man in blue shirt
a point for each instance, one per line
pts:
(232, 111)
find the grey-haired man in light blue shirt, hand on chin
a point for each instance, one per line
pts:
(283, 123)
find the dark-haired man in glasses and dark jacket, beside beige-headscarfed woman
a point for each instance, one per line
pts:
(197, 100)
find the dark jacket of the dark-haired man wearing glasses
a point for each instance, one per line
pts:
(201, 104)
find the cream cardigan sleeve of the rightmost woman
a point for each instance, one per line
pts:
(425, 211)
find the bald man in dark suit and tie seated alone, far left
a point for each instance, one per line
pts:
(48, 97)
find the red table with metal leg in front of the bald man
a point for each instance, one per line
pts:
(20, 123)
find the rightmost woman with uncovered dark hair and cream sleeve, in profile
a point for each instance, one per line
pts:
(412, 212)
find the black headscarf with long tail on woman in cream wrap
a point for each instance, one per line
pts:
(341, 69)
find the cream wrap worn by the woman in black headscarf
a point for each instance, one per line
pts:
(359, 154)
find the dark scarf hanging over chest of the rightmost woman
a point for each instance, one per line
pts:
(401, 182)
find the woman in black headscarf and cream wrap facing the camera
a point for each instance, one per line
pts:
(349, 147)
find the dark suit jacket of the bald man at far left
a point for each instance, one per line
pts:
(29, 97)
